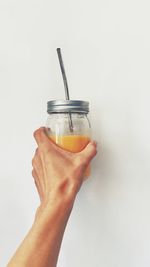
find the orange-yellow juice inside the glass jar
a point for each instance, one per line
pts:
(72, 143)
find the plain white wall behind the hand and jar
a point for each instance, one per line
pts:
(106, 49)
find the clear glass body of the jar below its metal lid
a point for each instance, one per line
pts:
(73, 140)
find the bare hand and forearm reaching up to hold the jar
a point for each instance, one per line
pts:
(58, 175)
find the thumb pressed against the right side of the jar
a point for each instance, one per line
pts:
(89, 152)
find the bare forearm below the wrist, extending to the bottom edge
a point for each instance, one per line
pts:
(41, 246)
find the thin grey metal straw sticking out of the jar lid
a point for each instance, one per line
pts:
(65, 84)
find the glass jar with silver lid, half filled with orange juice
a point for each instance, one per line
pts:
(68, 125)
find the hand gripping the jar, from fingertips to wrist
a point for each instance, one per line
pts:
(57, 172)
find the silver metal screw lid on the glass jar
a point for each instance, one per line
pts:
(64, 106)
